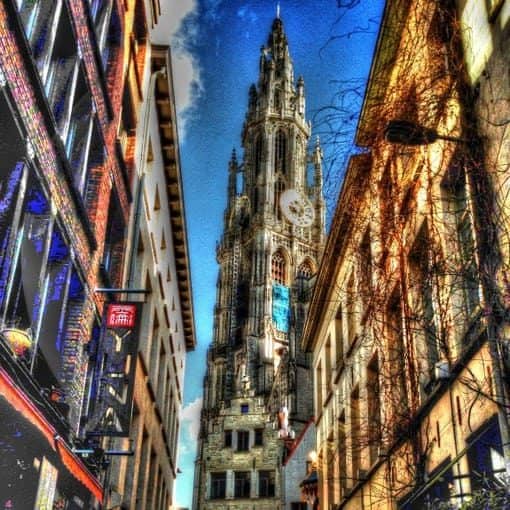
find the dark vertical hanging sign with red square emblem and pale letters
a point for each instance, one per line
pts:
(115, 371)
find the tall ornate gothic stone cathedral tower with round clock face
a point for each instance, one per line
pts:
(257, 391)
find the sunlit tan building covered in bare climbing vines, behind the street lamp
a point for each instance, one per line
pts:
(410, 350)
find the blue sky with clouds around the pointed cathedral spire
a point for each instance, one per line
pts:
(216, 46)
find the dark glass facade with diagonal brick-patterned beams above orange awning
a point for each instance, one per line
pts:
(60, 237)
